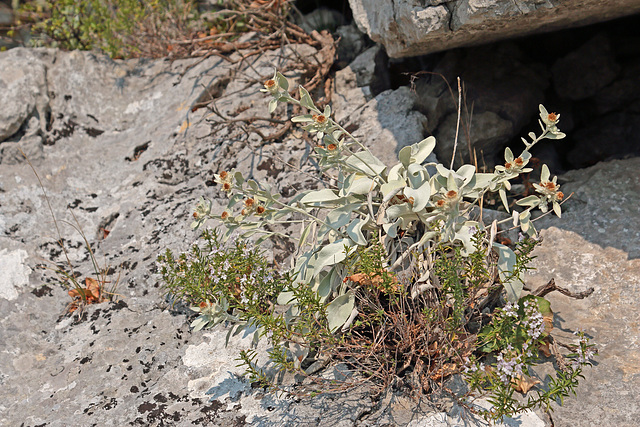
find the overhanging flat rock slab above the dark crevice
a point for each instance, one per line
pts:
(415, 27)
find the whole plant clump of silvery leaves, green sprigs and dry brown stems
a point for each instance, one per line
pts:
(392, 274)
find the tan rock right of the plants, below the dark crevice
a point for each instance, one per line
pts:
(597, 244)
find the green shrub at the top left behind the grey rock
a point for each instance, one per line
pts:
(120, 28)
